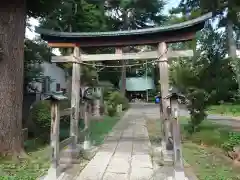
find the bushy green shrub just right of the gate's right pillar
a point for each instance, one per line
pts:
(186, 78)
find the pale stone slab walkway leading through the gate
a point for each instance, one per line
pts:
(125, 153)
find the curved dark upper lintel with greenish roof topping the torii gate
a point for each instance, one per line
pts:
(173, 33)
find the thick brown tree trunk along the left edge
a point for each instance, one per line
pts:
(12, 31)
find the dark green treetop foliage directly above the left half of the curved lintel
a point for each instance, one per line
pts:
(75, 16)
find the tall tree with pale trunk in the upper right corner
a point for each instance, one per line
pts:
(227, 12)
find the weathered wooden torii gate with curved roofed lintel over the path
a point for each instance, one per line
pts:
(158, 36)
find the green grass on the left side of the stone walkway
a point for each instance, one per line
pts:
(37, 163)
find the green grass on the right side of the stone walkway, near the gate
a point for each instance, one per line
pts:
(203, 151)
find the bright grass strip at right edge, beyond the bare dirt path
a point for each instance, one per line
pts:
(225, 109)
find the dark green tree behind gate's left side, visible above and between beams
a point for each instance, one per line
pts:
(76, 16)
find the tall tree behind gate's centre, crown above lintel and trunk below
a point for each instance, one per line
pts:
(132, 14)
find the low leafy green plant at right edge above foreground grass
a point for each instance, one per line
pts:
(233, 140)
